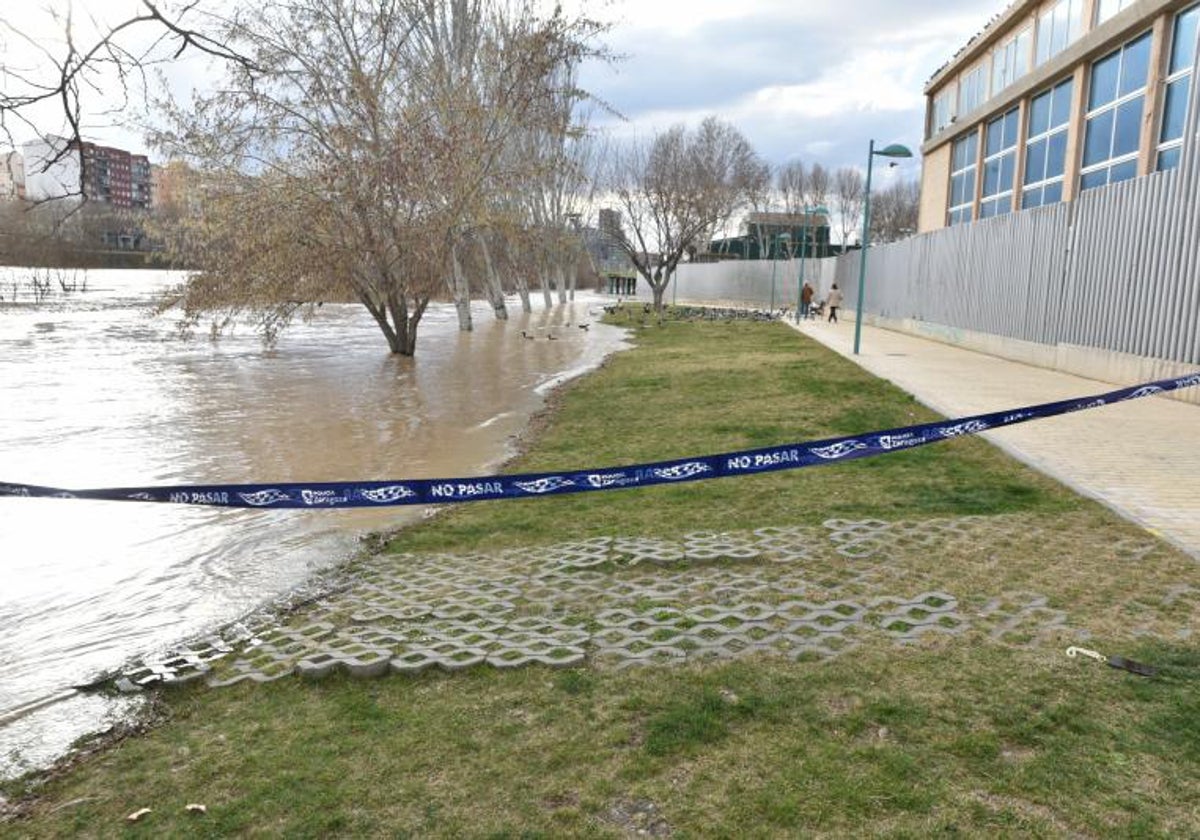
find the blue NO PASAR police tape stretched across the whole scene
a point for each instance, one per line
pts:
(443, 491)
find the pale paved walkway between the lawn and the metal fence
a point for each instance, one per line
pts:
(1142, 459)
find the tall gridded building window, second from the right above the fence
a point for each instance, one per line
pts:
(1115, 106)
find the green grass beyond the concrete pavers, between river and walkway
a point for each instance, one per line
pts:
(703, 389)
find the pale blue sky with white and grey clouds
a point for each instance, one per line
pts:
(811, 80)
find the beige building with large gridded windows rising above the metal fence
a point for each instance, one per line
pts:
(1055, 98)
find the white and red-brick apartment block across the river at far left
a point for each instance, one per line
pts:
(58, 169)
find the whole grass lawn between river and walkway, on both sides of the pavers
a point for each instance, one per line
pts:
(992, 730)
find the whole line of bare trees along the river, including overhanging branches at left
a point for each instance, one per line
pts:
(397, 152)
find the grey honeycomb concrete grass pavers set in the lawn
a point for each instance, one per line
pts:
(800, 592)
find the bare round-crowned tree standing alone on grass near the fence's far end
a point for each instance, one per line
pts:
(675, 190)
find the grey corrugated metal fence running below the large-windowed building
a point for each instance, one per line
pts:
(1117, 271)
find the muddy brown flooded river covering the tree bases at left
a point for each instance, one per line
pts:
(97, 393)
